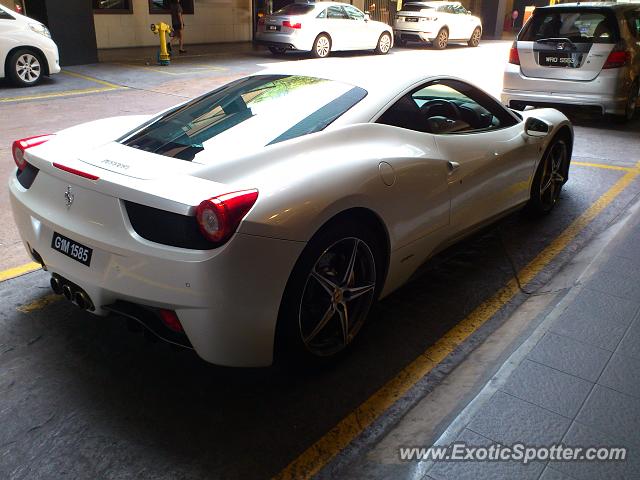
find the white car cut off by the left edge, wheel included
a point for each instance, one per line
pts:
(26, 49)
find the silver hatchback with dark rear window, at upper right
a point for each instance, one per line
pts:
(585, 54)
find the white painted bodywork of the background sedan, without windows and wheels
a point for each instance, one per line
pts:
(345, 34)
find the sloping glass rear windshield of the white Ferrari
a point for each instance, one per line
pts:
(246, 115)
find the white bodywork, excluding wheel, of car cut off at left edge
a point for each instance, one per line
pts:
(16, 33)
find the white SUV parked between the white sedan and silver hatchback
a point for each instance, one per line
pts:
(437, 23)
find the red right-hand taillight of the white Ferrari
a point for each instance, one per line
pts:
(219, 217)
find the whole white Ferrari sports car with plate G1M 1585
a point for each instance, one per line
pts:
(269, 214)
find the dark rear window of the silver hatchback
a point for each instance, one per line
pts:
(578, 25)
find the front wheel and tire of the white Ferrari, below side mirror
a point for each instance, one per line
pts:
(549, 178)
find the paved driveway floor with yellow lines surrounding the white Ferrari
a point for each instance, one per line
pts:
(81, 397)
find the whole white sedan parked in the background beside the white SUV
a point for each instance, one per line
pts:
(321, 28)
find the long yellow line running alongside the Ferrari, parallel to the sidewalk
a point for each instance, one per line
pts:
(312, 460)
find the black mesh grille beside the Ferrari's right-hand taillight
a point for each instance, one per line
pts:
(167, 228)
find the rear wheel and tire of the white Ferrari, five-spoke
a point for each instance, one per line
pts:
(329, 293)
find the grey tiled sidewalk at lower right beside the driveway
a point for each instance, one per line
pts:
(576, 381)
